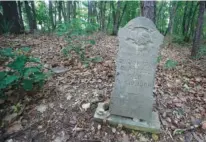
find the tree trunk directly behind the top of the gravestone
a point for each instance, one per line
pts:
(148, 9)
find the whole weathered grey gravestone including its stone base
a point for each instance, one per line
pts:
(132, 98)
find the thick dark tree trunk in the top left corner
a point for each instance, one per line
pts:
(11, 16)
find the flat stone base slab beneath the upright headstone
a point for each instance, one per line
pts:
(102, 115)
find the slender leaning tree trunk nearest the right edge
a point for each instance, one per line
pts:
(198, 31)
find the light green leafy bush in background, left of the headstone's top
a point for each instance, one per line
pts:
(76, 27)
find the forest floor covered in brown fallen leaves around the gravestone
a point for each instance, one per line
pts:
(63, 110)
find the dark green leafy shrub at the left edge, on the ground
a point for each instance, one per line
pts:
(20, 75)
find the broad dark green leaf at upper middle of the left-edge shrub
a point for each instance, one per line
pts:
(18, 64)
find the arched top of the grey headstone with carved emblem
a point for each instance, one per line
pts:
(140, 31)
